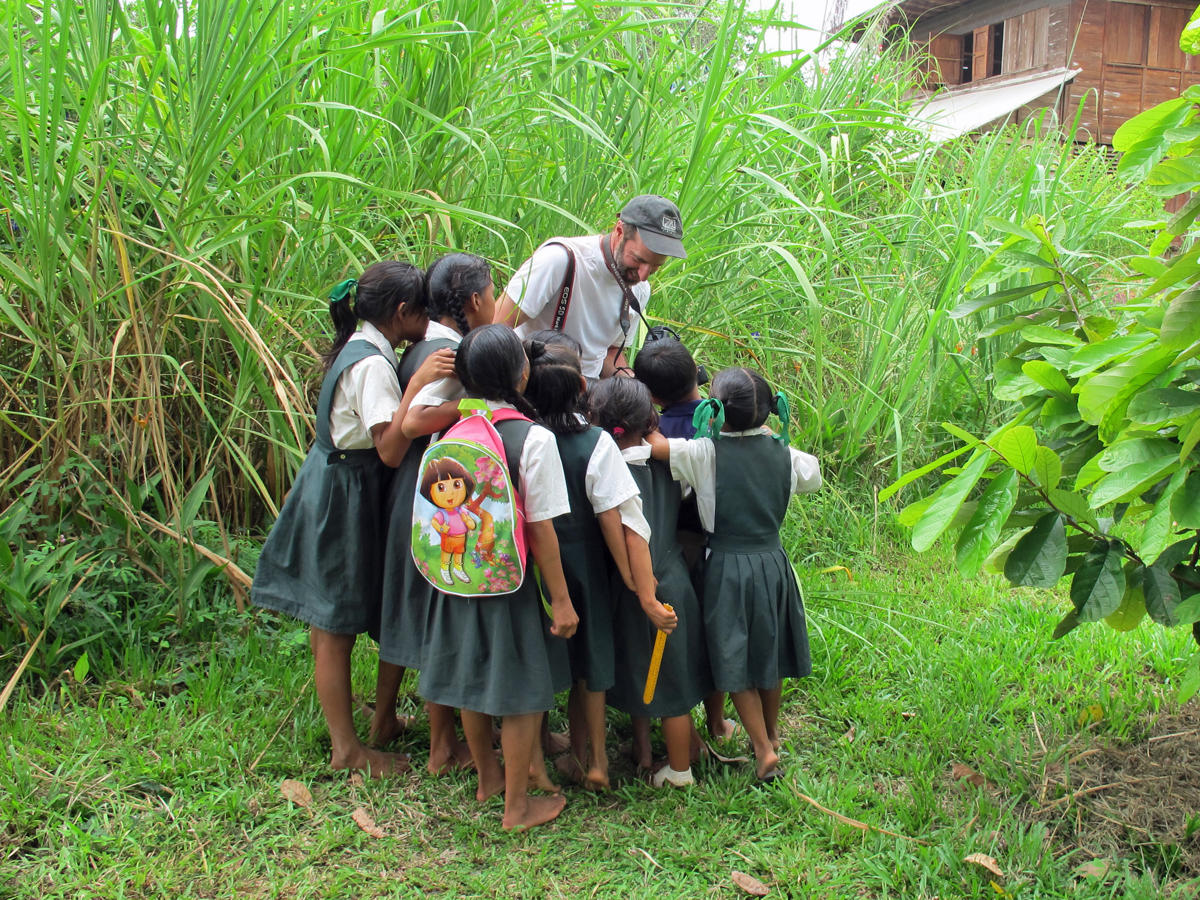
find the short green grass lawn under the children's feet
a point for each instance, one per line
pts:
(169, 783)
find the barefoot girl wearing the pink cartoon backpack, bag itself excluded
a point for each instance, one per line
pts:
(488, 656)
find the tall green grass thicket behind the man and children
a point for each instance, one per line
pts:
(181, 182)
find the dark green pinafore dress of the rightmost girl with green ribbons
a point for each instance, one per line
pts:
(754, 616)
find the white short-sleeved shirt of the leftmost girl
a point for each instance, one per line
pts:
(367, 395)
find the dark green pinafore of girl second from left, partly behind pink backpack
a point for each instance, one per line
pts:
(406, 593)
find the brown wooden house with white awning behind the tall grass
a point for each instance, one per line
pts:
(1119, 57)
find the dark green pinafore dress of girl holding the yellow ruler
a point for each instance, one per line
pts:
(685, 676)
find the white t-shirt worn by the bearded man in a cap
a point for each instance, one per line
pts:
(595, 315)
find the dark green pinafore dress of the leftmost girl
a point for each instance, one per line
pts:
(323, 560)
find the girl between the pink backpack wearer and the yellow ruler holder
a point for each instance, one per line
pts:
(603, 496)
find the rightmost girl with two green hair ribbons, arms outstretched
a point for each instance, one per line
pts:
(754, 616)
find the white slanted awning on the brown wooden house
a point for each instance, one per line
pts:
(958, 111)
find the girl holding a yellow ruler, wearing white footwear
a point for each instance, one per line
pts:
(623, 407)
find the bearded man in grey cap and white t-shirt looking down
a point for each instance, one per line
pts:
(597, 311)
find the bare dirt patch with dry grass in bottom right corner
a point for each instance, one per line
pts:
(1141, 799)
